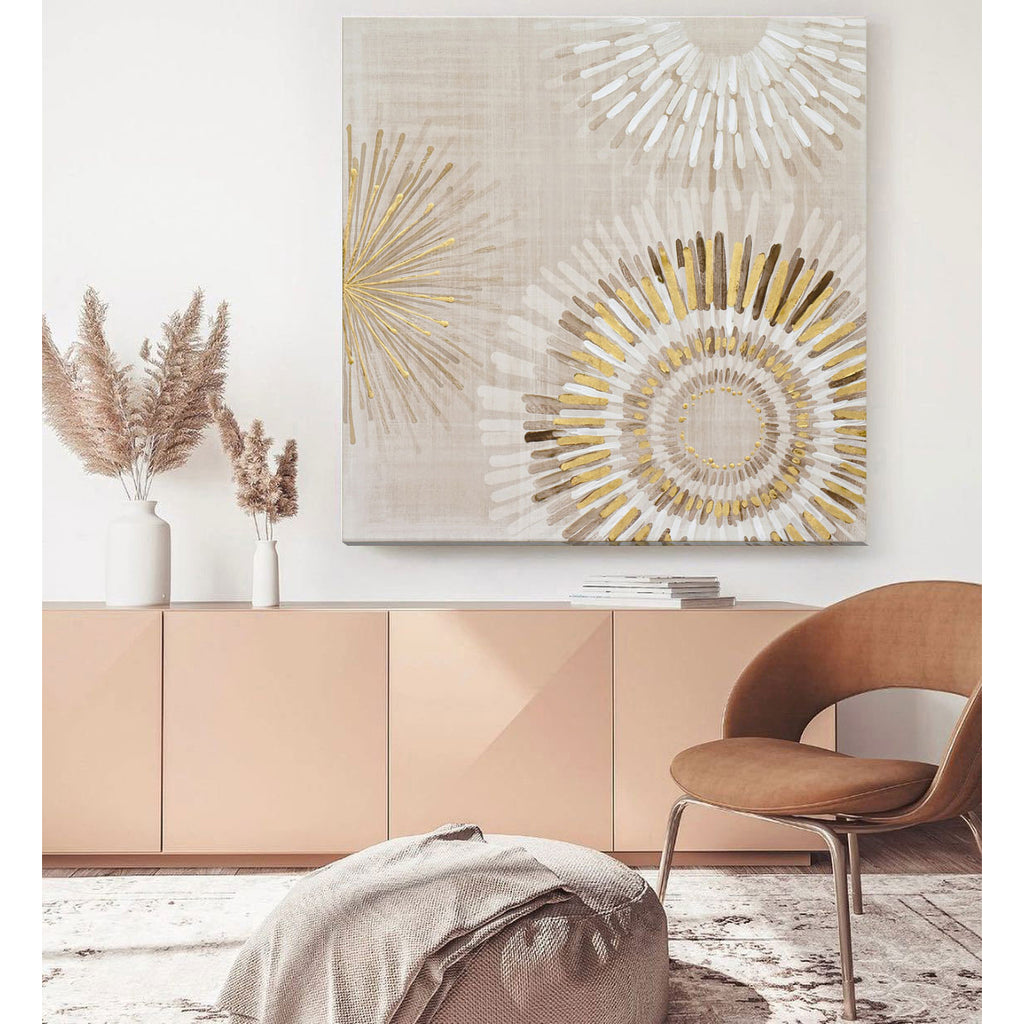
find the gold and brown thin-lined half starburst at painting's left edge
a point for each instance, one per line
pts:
(415, 244)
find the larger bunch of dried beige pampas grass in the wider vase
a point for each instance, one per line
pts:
(119, 428)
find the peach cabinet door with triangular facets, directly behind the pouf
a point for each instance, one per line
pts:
(502, 719)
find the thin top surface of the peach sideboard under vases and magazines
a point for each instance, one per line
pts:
(411, 606)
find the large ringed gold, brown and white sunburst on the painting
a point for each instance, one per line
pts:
(706, 383)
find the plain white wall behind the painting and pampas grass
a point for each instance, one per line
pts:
(200, 143)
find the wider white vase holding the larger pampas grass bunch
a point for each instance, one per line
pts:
(139, 559)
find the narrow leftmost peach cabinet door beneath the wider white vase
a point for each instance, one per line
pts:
(102, 732)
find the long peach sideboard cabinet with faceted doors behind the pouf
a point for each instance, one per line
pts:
(222, 735)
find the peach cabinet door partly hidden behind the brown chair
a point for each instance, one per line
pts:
(674, 672)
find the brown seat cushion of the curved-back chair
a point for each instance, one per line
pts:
(777, 777)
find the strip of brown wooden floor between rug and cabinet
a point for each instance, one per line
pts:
(941, 849)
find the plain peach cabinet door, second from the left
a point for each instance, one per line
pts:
(275, 731)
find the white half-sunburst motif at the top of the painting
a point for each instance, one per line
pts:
(739, 97)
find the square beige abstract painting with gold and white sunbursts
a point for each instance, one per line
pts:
(605, 280)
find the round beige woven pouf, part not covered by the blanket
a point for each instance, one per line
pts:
(602, 958)
